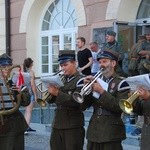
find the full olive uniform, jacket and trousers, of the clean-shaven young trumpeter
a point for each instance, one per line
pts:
(69, 120)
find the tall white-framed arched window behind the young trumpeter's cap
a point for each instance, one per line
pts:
(58, 32)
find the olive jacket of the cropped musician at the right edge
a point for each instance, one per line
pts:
(142, 107)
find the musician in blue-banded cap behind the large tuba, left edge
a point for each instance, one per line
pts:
(13, 125)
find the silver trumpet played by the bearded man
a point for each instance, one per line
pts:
(79, 97)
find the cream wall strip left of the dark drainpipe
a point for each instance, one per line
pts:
(2, 27)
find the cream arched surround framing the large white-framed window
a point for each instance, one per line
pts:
(30, 23)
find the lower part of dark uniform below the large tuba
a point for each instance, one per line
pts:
(12, 132)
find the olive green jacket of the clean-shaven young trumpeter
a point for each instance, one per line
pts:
(68, 113)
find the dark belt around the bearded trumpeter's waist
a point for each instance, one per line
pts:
(102, 112)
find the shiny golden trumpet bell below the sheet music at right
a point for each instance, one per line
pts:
(126, 104)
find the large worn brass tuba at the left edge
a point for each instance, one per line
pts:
(5, 90)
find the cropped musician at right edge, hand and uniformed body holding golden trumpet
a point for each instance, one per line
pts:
(142, 107)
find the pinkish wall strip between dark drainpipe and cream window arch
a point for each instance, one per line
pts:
(18, 41)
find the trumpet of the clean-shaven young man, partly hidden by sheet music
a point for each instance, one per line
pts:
(46, 96)
